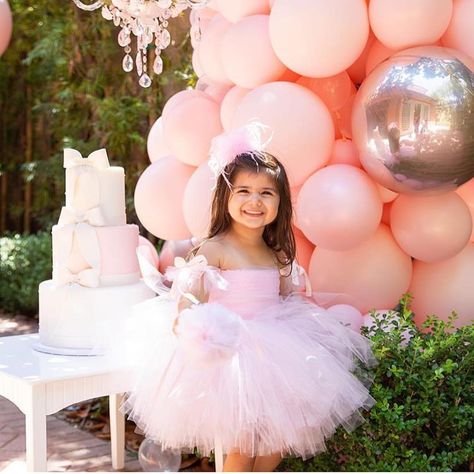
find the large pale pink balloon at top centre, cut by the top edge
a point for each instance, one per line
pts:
(318, 38)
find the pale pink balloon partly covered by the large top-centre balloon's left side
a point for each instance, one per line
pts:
(247, 54)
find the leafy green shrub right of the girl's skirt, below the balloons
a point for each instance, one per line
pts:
(423, 418)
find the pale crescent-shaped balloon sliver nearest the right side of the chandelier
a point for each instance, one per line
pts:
(209, 50)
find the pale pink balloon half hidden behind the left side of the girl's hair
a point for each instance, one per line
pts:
(198, 200)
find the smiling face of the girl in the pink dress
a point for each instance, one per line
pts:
(254, 199)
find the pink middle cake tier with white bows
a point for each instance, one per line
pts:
(95, 256)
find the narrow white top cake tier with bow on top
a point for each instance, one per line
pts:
(95, 191)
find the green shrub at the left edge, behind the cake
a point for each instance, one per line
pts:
(25, 261)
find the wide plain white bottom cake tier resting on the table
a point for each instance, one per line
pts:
(74, 317)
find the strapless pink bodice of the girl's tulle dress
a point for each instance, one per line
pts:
(249, 290)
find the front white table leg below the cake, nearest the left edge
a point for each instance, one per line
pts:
(35, 421)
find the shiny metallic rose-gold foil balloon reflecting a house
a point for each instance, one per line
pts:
(413, 121)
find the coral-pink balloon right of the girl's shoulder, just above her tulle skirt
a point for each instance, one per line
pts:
(360, 276)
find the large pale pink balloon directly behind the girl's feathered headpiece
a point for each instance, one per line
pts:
(303, 131)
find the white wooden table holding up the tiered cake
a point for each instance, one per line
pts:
(40, 384)
